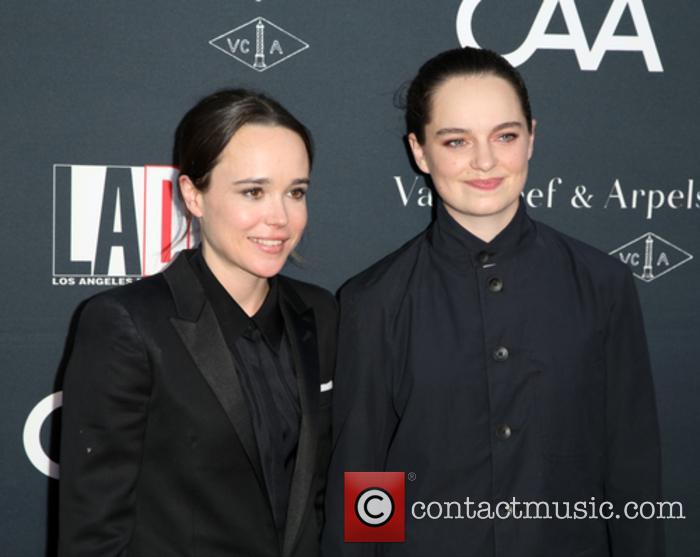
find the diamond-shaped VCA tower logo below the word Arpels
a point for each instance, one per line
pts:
(650, 256)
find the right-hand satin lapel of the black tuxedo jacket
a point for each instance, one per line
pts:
(301, 330)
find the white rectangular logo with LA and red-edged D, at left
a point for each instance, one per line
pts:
(115, 221)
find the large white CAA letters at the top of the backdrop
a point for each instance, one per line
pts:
(588, 58)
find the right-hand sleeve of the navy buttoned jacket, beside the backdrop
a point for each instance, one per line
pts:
(633, 447)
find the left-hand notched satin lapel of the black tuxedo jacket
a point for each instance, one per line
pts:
(201, 334)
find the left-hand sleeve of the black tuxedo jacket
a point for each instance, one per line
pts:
(106, 393)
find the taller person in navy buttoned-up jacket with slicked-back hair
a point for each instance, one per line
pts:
(492, 357)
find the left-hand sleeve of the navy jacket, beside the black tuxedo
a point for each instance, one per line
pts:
(364, 418)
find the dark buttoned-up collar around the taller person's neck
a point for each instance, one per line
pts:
(454, 242)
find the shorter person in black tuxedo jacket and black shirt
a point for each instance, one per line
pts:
(196, 415)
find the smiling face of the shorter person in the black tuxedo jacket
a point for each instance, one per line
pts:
(253, 213)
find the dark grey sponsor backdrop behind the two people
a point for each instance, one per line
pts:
(105, 83)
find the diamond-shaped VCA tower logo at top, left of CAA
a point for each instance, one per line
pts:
(259, 44)
